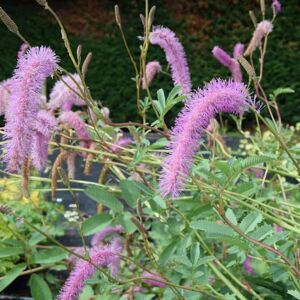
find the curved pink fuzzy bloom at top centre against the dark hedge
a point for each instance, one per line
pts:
(175, 55)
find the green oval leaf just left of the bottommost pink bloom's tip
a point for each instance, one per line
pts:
(49, 256)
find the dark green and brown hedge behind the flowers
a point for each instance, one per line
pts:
(200, 24)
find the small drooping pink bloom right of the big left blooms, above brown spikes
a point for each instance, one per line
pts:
(74, 121)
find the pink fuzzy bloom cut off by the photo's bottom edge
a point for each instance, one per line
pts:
(83, 270)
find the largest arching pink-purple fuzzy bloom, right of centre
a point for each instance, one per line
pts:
(200, 107)
